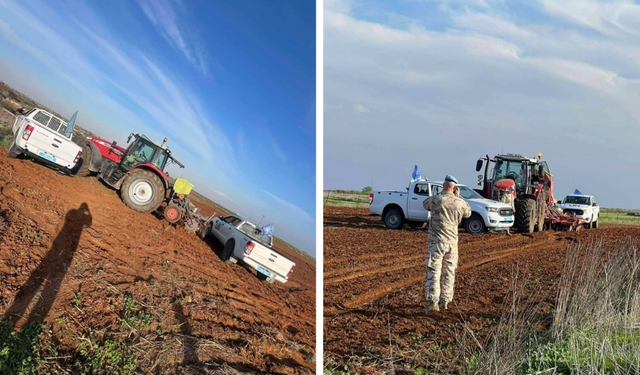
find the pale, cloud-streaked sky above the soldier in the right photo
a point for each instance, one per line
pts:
(442, 83)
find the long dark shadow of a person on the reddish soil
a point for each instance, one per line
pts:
(51, 270)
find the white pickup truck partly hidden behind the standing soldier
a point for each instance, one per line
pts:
(396, 207)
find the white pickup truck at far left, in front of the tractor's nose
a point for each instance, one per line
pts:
(46, 138)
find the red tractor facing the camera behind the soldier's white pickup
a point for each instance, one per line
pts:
(533, 185)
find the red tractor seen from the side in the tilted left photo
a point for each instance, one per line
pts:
(137, 171)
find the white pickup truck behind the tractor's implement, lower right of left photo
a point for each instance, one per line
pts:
(243, 241)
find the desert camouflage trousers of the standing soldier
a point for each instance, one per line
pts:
(442, 260)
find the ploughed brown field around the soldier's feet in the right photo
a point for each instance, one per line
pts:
(374, 290)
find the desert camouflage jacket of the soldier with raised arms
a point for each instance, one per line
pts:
(447, 211)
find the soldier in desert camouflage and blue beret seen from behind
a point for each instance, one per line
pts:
(447, 211)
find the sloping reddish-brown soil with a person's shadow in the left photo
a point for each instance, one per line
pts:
(73, 253)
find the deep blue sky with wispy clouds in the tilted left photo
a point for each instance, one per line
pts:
(231, 84)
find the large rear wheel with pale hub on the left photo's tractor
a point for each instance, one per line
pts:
(142, 191)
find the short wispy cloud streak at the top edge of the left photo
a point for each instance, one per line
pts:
(164, 18)
